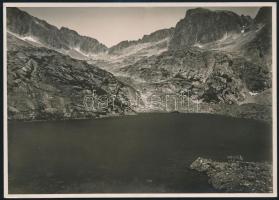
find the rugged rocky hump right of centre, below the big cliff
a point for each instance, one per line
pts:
(206, 75)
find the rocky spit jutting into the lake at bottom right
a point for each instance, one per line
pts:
(236, 175)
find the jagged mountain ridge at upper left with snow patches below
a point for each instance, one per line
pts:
(27, 26)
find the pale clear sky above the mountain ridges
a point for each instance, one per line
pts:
(111, 25)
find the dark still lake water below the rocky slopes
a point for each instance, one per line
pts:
(149, 153)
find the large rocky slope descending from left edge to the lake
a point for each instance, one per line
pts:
(44, 84)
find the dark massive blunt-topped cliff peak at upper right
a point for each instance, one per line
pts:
(202, 26)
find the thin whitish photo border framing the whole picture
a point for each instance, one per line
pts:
(148, 4)
